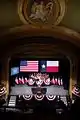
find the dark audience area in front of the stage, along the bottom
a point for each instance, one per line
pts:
(44, 113)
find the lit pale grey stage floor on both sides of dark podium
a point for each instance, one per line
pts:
(26, 90)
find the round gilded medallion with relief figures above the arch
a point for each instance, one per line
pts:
(41, 12)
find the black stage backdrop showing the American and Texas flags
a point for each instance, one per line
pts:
(54, 67)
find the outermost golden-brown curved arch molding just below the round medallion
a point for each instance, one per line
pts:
(58, 32)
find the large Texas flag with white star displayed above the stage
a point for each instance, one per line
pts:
(49, 66)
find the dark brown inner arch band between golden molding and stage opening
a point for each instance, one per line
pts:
(37, 49)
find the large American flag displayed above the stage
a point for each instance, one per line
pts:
(28, 66)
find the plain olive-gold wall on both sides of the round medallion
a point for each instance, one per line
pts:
(9, 17)
